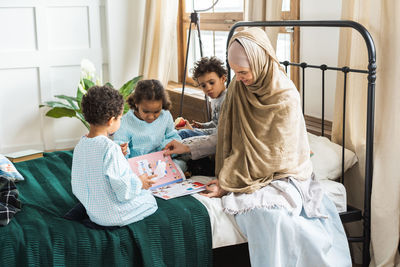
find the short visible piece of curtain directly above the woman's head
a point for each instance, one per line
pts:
(261, 10)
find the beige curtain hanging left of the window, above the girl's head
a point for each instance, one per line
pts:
(159, 35)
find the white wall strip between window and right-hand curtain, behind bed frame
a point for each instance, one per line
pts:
(319, 46)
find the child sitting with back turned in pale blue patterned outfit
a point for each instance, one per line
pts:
(101, 177)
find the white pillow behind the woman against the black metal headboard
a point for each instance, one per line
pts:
(327, 158)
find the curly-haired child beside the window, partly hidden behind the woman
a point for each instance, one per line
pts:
(210, 75)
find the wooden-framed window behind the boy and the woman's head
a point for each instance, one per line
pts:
(214, 28)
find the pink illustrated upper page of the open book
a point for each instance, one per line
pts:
(157, 163)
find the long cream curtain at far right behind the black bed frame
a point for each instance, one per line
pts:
(382, 20)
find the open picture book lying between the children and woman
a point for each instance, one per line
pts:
(170, 182)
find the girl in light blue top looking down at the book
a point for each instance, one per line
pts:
(148, 126)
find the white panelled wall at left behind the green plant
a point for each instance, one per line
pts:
(42, 44)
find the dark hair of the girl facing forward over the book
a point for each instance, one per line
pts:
(149, 90)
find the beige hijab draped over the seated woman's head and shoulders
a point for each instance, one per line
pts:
(261, 130)
